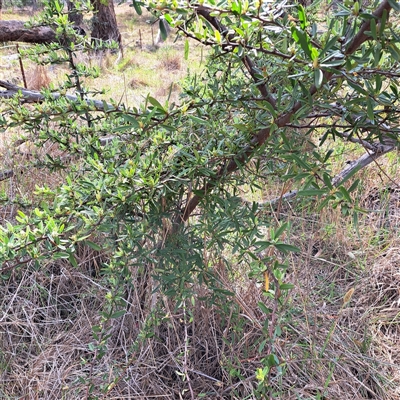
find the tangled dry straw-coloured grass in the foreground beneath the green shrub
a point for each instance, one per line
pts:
(329, 350)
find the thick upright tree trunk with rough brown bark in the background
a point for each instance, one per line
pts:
(105, 22)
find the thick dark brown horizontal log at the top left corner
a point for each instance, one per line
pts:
(15, 31)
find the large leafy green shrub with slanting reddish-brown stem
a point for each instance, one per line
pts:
(158, 189)
